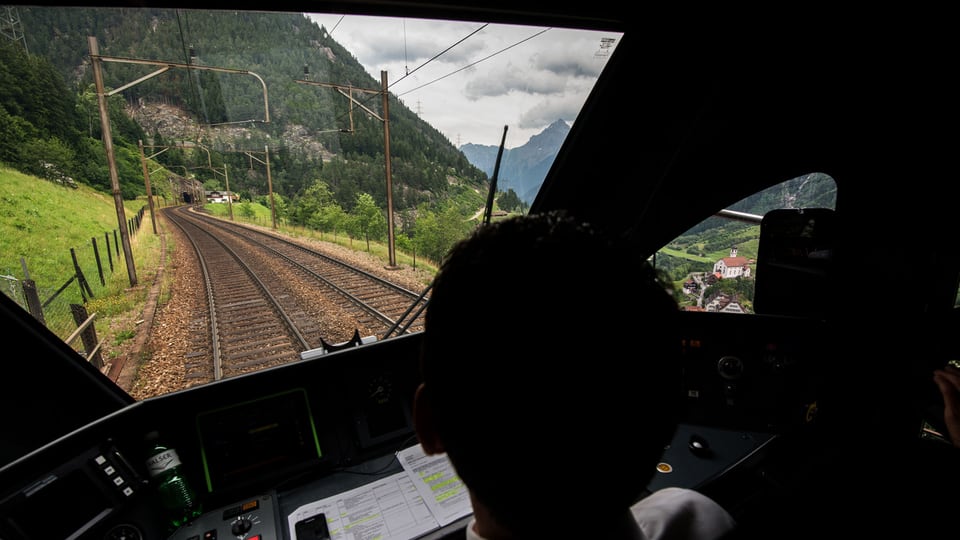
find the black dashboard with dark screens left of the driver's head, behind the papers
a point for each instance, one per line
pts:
(242, 438)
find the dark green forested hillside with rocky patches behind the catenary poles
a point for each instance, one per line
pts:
(49, 118)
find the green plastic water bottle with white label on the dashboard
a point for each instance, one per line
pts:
(177, 496)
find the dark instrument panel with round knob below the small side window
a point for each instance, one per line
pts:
(760, 373)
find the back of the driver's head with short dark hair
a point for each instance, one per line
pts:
(549, 358)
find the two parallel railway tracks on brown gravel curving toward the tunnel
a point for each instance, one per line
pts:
(269, 299)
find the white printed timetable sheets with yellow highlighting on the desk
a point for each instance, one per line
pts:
(428, 494)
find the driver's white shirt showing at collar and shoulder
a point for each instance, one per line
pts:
(674, 513)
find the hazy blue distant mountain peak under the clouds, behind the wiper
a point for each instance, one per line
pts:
(523, 168)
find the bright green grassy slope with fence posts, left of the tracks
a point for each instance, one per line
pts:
(41, 222)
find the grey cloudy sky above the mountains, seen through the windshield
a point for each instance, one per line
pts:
(469, 80)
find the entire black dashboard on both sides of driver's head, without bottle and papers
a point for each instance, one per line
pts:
(256, 446)
